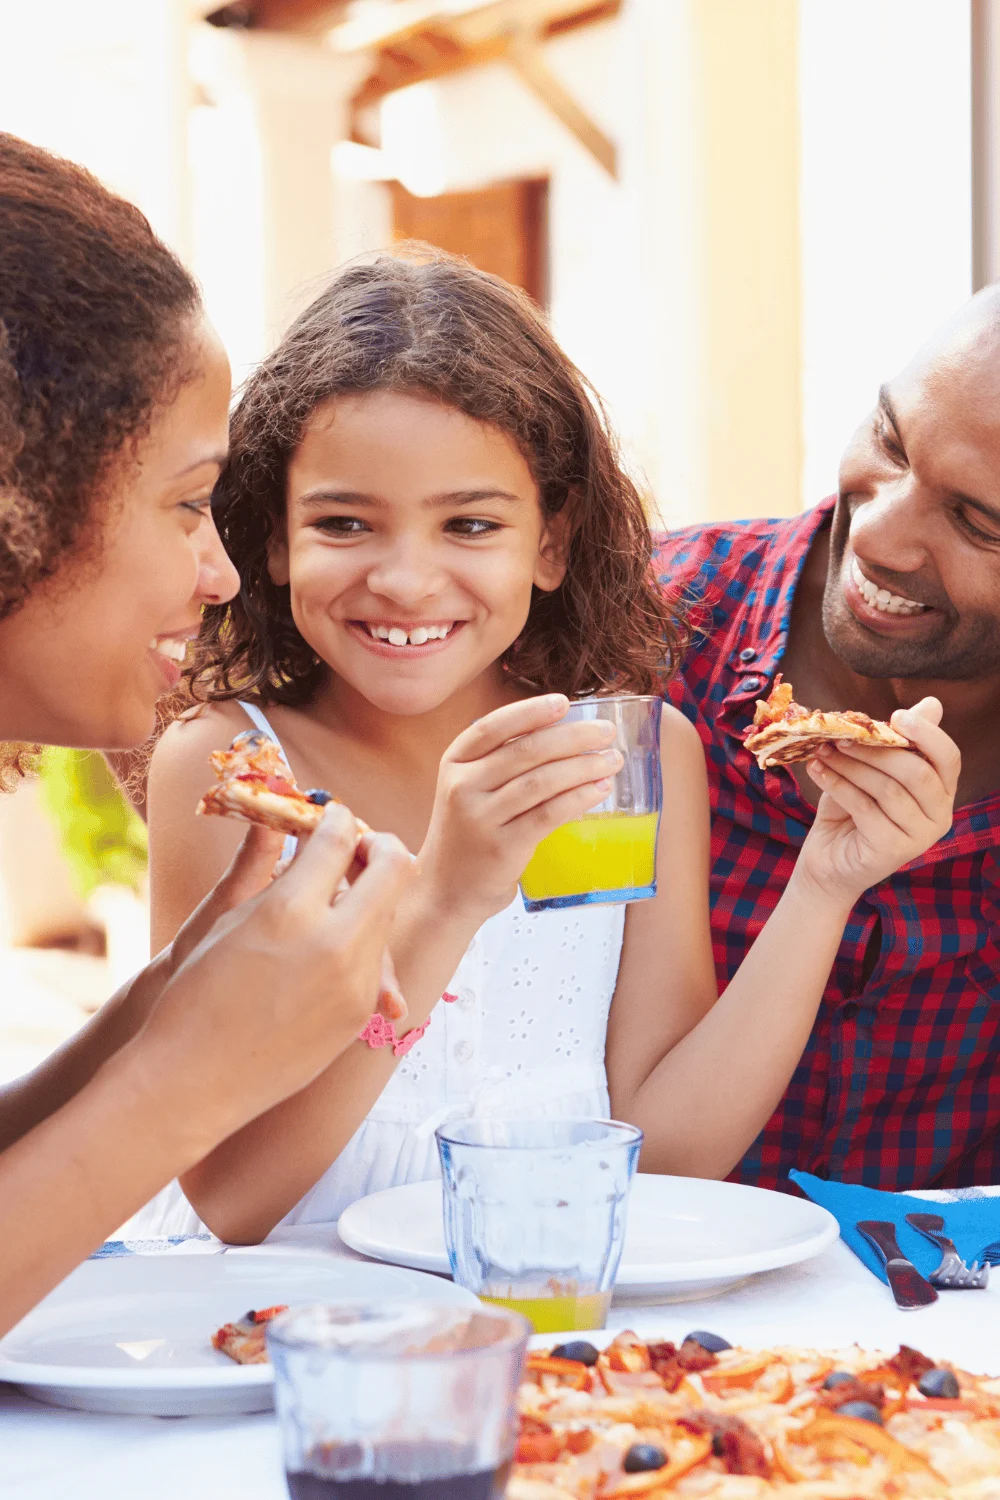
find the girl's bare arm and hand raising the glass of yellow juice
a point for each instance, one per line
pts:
(504, 784)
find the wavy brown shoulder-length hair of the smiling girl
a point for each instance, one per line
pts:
(431, 325)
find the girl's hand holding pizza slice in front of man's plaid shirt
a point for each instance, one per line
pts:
(881, 808)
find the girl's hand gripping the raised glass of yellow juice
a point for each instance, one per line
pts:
(507, 782)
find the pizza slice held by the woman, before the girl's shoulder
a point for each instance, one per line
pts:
(257, 785)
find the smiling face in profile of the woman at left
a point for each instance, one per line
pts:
(85, 661)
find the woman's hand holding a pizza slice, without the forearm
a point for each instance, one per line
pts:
(278, 986)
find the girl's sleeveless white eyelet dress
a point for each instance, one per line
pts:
(524, 1036)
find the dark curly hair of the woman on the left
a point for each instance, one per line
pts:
(95, 316)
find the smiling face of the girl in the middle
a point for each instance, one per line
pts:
(415, 536)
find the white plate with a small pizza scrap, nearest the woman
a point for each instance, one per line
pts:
(134, 1334)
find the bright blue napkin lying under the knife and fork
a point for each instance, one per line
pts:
(974, 1222)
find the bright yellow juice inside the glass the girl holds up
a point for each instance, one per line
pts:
(603, 853)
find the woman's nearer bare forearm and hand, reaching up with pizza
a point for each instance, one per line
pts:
(253, 1015)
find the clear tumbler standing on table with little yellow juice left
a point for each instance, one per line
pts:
(534, 1214)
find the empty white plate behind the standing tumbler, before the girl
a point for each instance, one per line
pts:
(686, 1238)
